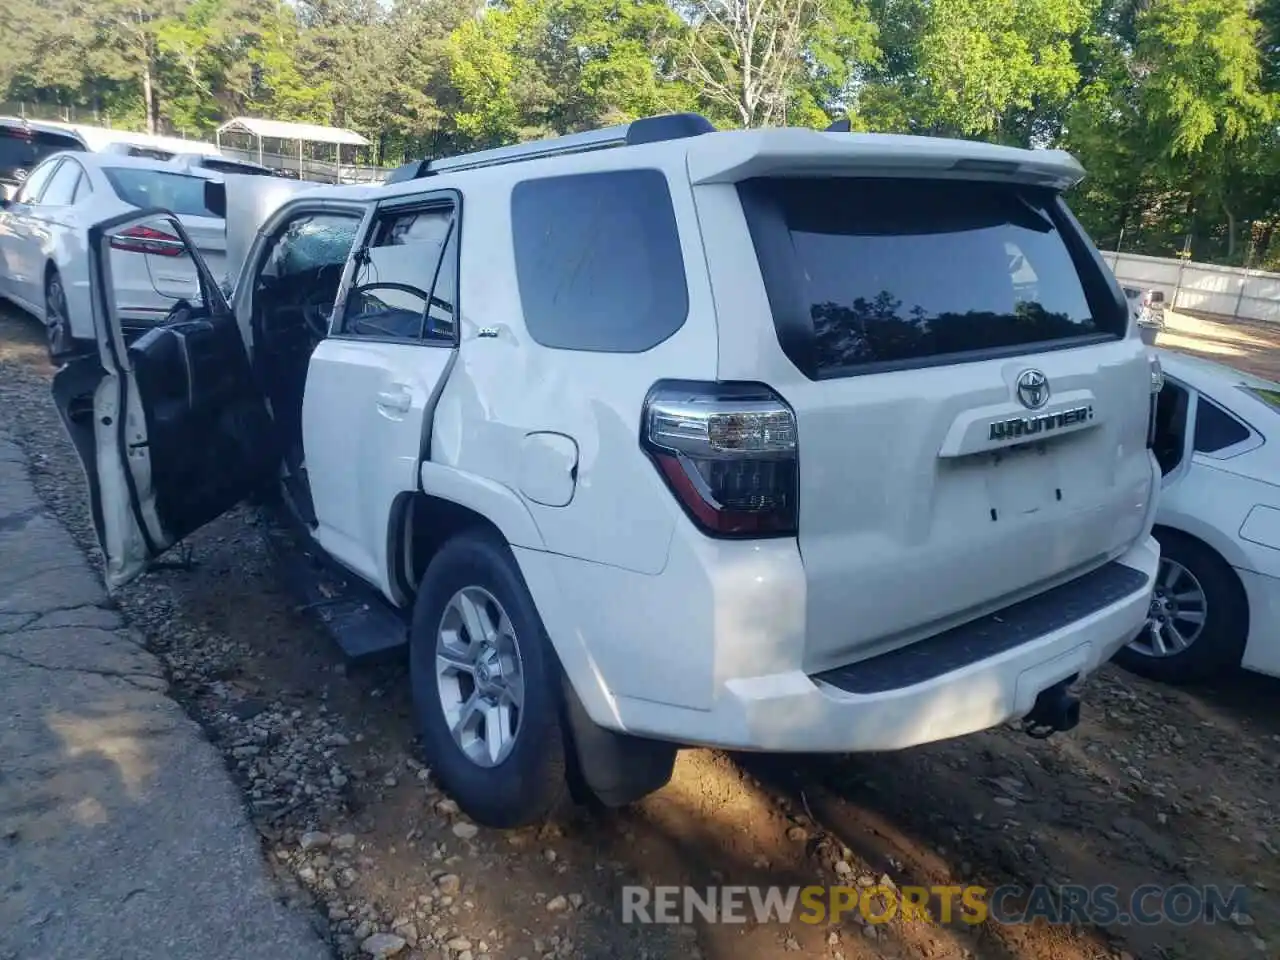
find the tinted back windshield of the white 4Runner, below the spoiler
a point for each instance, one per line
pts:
(867, 273)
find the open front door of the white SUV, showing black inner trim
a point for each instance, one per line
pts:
(166, 418)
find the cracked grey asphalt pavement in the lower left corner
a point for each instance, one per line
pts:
(122, 836)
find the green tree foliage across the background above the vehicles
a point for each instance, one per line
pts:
(1171, 104)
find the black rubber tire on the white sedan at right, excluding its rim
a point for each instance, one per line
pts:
(1220, 644)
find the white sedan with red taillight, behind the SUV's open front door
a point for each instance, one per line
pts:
(44, 236)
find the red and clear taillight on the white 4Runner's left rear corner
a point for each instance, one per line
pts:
(729, 455)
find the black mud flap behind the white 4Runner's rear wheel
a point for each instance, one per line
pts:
(614, 770)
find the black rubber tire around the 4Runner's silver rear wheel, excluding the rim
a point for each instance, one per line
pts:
(531, 783)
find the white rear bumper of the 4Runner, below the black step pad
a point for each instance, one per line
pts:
(797, 712)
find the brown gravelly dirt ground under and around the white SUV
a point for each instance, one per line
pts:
(1158, 787)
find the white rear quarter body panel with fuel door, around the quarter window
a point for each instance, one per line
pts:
(513, 415)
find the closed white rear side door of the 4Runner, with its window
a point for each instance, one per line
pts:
(374, 382)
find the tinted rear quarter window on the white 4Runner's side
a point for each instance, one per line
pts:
(598, 262)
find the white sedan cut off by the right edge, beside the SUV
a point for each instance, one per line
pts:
(1218, 598)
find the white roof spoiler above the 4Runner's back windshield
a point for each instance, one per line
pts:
(739, 156)
